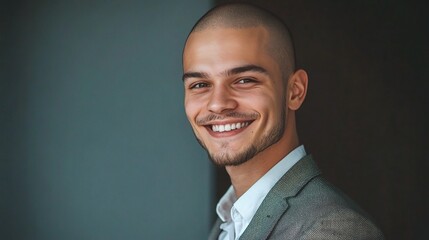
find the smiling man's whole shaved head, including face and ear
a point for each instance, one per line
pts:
(241, 86)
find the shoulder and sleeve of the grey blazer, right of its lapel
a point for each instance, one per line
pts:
(320, 211)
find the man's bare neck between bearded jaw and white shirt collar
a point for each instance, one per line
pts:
(246, 174)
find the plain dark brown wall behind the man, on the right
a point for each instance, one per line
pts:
(365, 119)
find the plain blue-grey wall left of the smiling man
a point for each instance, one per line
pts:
(94, 140)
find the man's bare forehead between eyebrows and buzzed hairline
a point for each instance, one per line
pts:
(219, 48)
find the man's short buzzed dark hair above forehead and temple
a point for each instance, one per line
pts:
(239, 15)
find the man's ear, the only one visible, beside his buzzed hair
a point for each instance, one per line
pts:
(297, 89)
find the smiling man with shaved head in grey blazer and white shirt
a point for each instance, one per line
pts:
(241, 94)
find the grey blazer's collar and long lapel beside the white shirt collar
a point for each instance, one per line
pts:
(275, 203)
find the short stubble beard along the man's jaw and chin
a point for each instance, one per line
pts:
(228, 158)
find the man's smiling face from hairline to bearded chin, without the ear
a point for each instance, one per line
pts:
(235, 98)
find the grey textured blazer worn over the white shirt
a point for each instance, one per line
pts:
(303, 205)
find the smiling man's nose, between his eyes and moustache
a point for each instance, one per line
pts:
(221, 100)
